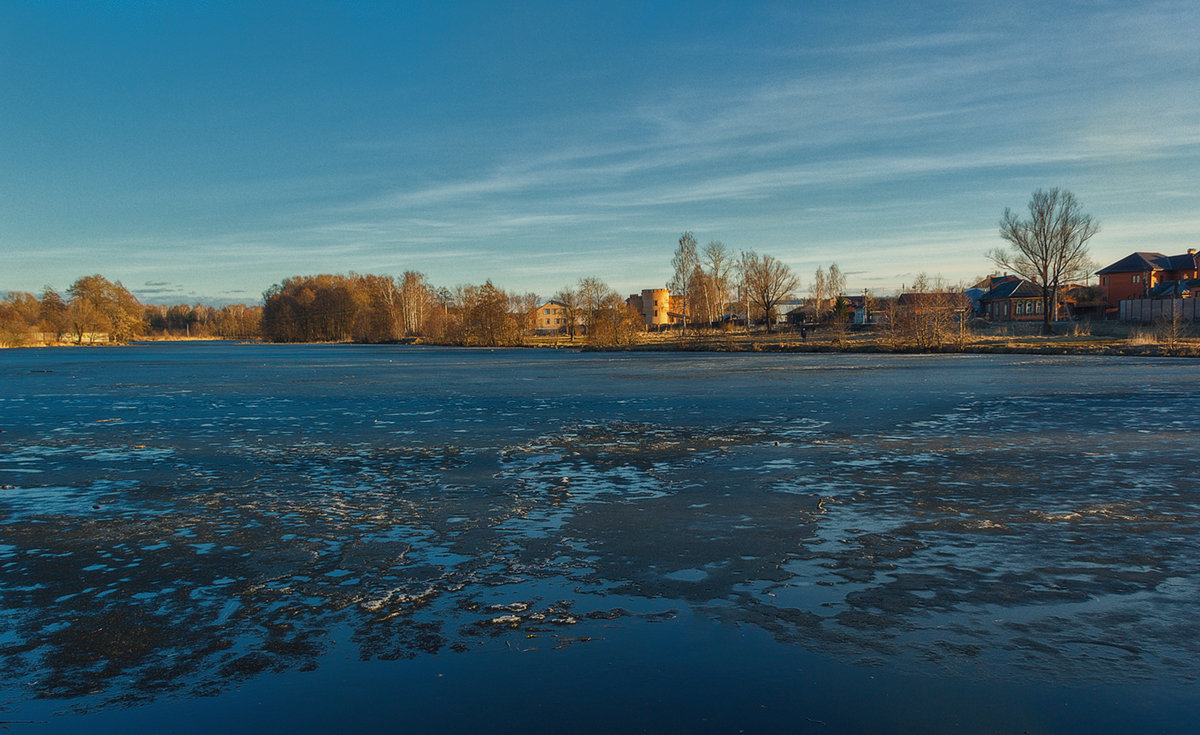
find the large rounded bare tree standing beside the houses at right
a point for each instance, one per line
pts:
(1051, 248)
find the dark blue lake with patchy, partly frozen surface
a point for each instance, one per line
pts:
(247, 539)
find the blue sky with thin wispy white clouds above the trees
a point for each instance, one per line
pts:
(206, 151)
